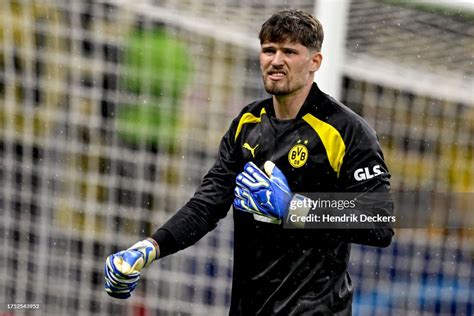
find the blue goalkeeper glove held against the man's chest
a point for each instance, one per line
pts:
(265, 194)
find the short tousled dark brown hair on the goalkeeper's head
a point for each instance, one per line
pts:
(295, 26)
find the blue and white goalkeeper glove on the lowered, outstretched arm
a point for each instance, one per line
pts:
(122, 269)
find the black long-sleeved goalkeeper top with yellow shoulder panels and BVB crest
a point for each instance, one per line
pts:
(277, 270)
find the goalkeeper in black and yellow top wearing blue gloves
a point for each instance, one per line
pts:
(298, 140)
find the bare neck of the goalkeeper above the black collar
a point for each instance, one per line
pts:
(287, 106)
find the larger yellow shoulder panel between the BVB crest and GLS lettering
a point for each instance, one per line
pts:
(332, 141)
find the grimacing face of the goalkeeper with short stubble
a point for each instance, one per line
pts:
(287, 67)
